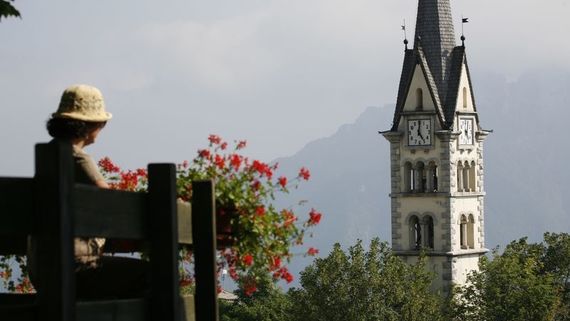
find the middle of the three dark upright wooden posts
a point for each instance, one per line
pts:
(163, 228)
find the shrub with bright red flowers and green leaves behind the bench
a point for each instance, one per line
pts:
(262, 234)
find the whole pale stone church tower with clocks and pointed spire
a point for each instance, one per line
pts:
(436, 153)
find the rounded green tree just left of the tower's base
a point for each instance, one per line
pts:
(362, 286)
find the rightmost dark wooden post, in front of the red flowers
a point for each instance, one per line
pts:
(204, 233)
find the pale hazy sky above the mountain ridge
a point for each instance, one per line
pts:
(278, 73)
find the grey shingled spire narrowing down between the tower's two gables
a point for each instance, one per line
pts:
(434, 29)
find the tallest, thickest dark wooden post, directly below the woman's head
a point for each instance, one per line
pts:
(52, 196)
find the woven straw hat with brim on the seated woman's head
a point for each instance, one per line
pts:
(82, 102)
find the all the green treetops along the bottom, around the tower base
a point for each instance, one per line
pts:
(527, 281)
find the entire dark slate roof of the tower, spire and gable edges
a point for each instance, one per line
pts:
(441, 61)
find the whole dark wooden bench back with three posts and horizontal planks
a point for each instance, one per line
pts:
(55, 210)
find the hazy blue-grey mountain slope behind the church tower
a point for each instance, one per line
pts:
(527, 179)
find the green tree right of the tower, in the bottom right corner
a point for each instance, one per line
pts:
(525, 282)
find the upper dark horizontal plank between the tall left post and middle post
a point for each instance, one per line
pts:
(109, 213)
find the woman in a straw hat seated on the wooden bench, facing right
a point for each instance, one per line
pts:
(79, 119)
